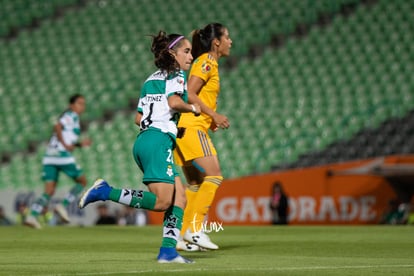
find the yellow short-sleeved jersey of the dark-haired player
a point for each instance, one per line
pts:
(206, 68)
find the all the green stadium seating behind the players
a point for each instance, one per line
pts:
(292, 100)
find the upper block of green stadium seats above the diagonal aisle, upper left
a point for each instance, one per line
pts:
(99, 49)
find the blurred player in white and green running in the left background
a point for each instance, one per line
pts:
(58, 158)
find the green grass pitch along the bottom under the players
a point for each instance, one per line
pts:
(246, 250)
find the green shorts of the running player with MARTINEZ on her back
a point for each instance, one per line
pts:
(152, 152)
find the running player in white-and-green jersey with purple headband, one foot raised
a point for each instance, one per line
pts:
(163, 97)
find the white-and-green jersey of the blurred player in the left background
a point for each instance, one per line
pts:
(56, 152)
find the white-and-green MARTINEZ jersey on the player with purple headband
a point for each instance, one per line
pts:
(153, 102)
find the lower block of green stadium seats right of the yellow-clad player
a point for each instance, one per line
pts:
(341, 78)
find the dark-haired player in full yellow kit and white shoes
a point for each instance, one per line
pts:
(195, 151)
